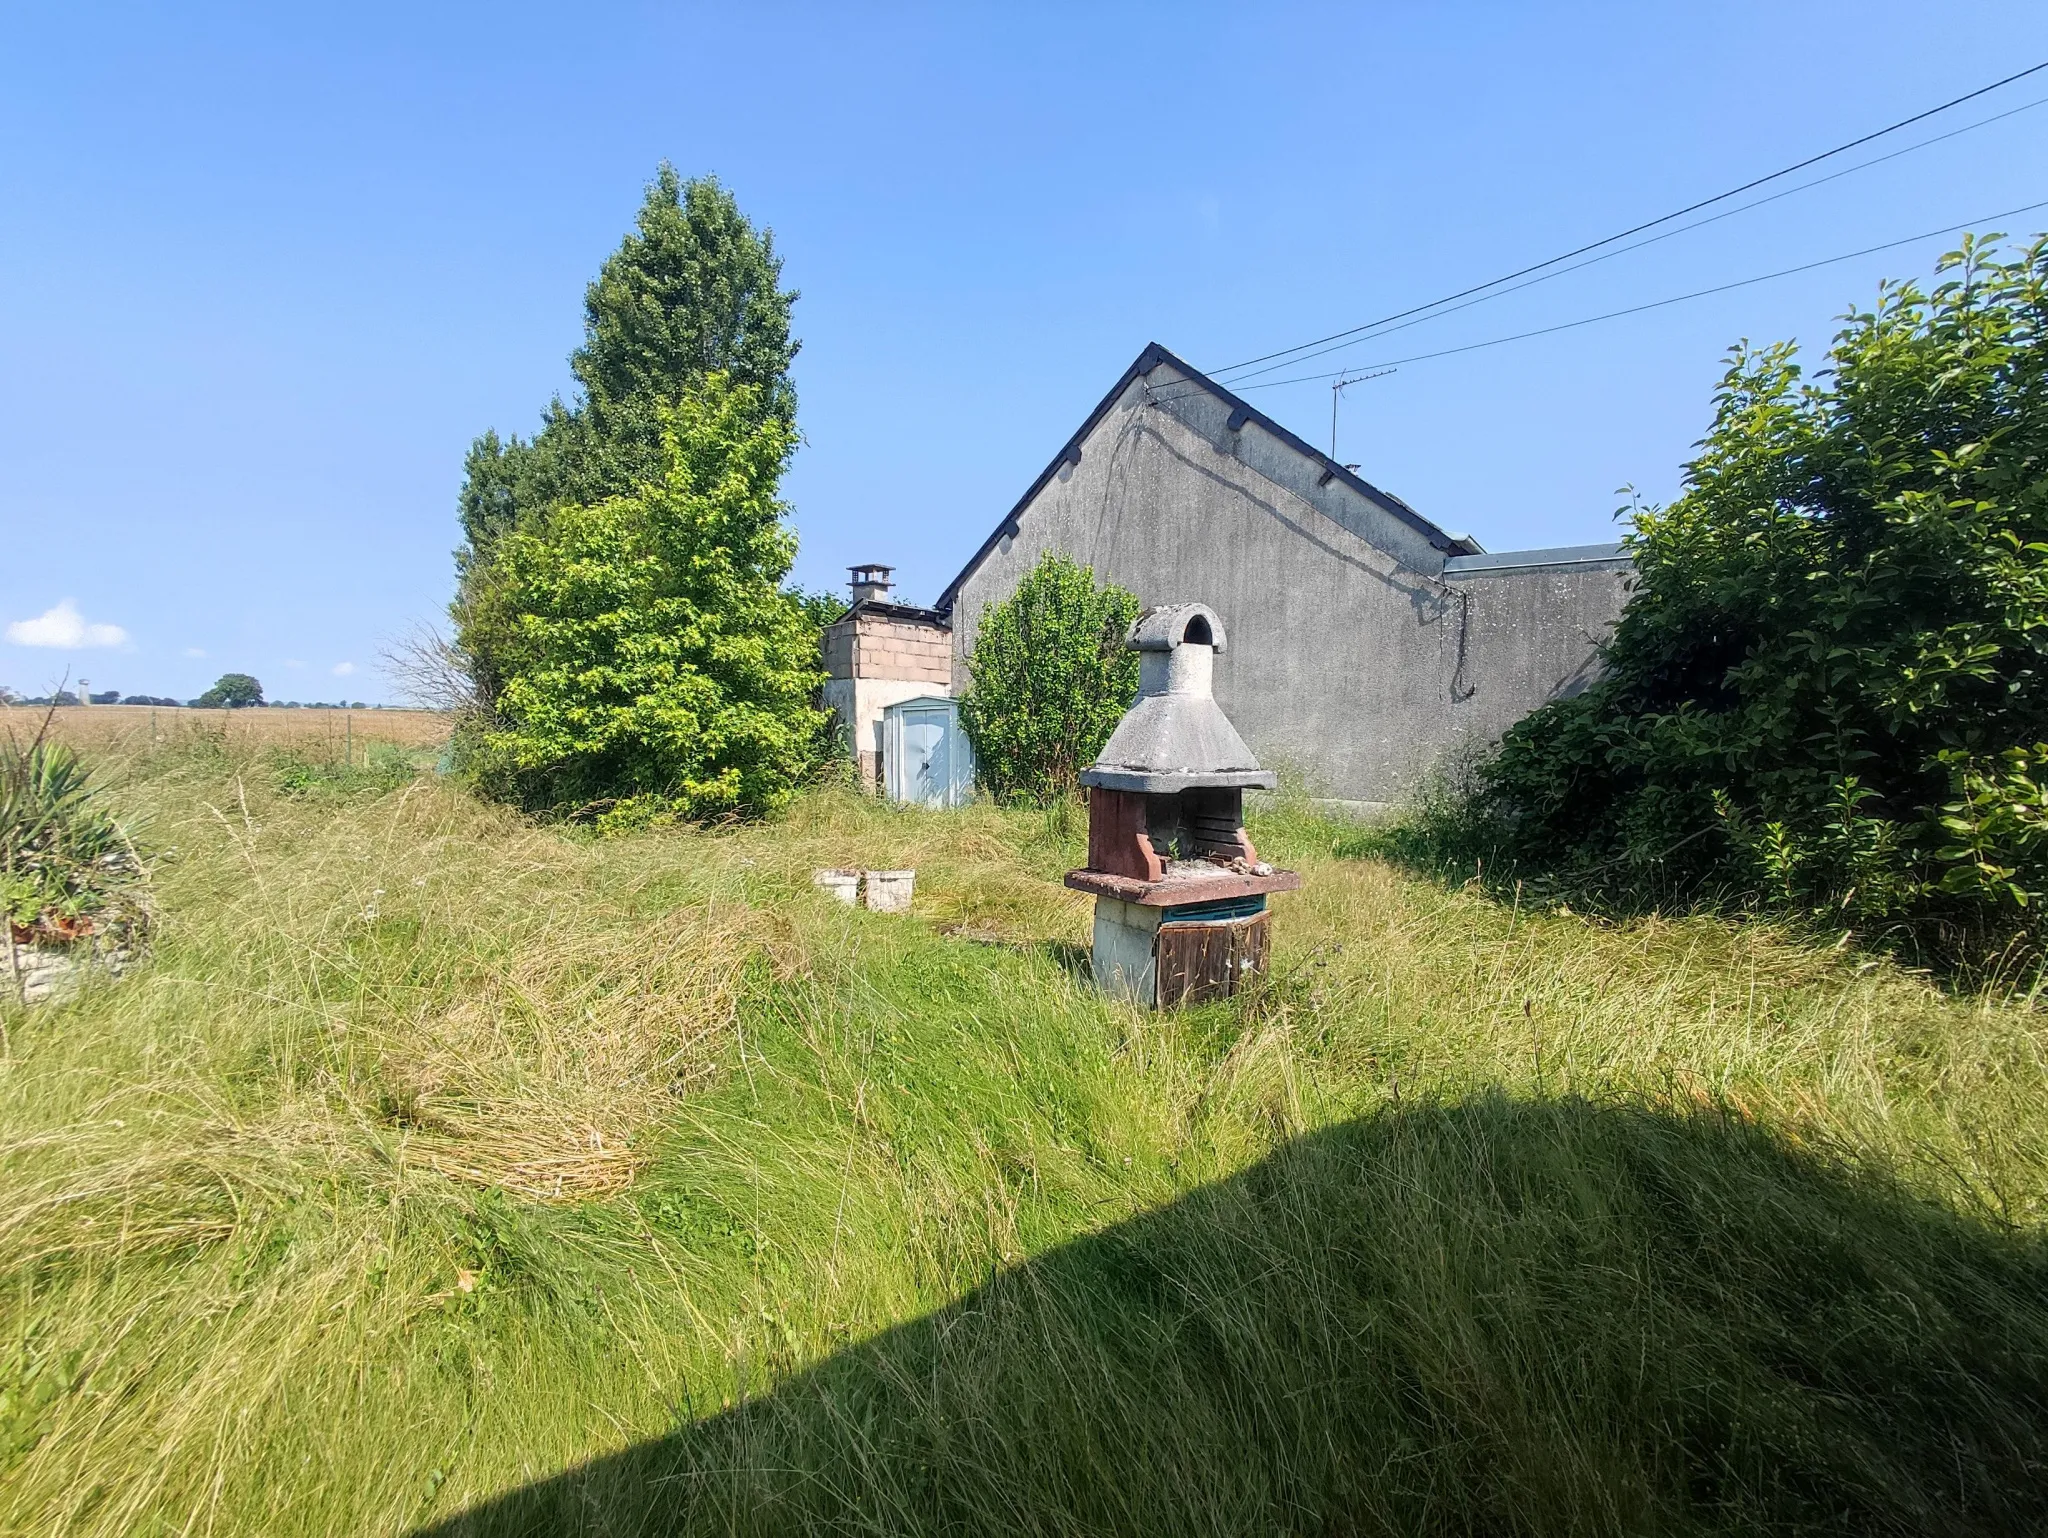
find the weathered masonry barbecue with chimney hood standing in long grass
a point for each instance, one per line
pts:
(1181, 894)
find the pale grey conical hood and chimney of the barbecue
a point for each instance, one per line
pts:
(1177, 738)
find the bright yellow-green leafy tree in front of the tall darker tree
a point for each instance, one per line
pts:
(654, 667)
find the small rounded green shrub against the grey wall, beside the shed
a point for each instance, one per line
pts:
(1050, 677)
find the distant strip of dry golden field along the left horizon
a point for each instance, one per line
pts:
(130, 728)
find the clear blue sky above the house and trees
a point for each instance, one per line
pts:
(265, 273)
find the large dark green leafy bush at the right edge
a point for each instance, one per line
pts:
(1830, 689)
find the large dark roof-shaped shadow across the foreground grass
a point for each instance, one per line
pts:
(1482, 1318)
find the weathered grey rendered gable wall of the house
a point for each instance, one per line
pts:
(1357, 660)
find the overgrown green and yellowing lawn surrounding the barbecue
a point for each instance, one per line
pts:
(445, 1172)
